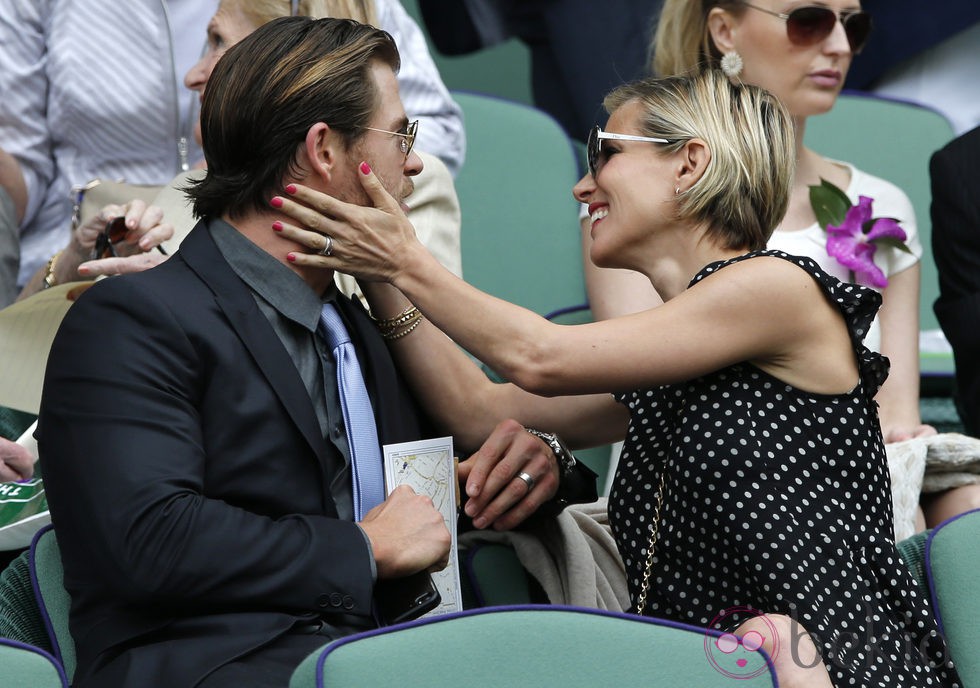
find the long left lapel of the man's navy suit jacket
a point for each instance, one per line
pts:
(234, 298)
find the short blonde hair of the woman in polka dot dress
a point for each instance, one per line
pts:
(743, 193)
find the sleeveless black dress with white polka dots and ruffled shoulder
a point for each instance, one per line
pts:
(777, 500)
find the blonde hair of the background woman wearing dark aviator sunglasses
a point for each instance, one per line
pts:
(682, 43)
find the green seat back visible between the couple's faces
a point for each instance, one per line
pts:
(520, 229)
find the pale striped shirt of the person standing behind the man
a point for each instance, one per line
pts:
(94, 89)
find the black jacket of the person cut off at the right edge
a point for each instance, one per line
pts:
(955, 173)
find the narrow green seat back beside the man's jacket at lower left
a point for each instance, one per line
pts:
(49, 587)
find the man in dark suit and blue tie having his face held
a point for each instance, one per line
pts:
(195, 452)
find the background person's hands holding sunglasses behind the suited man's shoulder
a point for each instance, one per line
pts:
(134, 253)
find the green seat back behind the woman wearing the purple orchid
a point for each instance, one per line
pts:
(893, 140)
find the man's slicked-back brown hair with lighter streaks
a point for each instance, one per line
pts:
(268, 90)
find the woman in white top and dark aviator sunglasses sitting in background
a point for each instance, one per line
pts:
(801, 53)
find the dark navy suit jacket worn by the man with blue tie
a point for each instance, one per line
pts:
(185, 472)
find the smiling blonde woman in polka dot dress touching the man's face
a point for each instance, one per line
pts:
(753, 494)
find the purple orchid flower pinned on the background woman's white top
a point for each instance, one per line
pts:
(852, 242)
